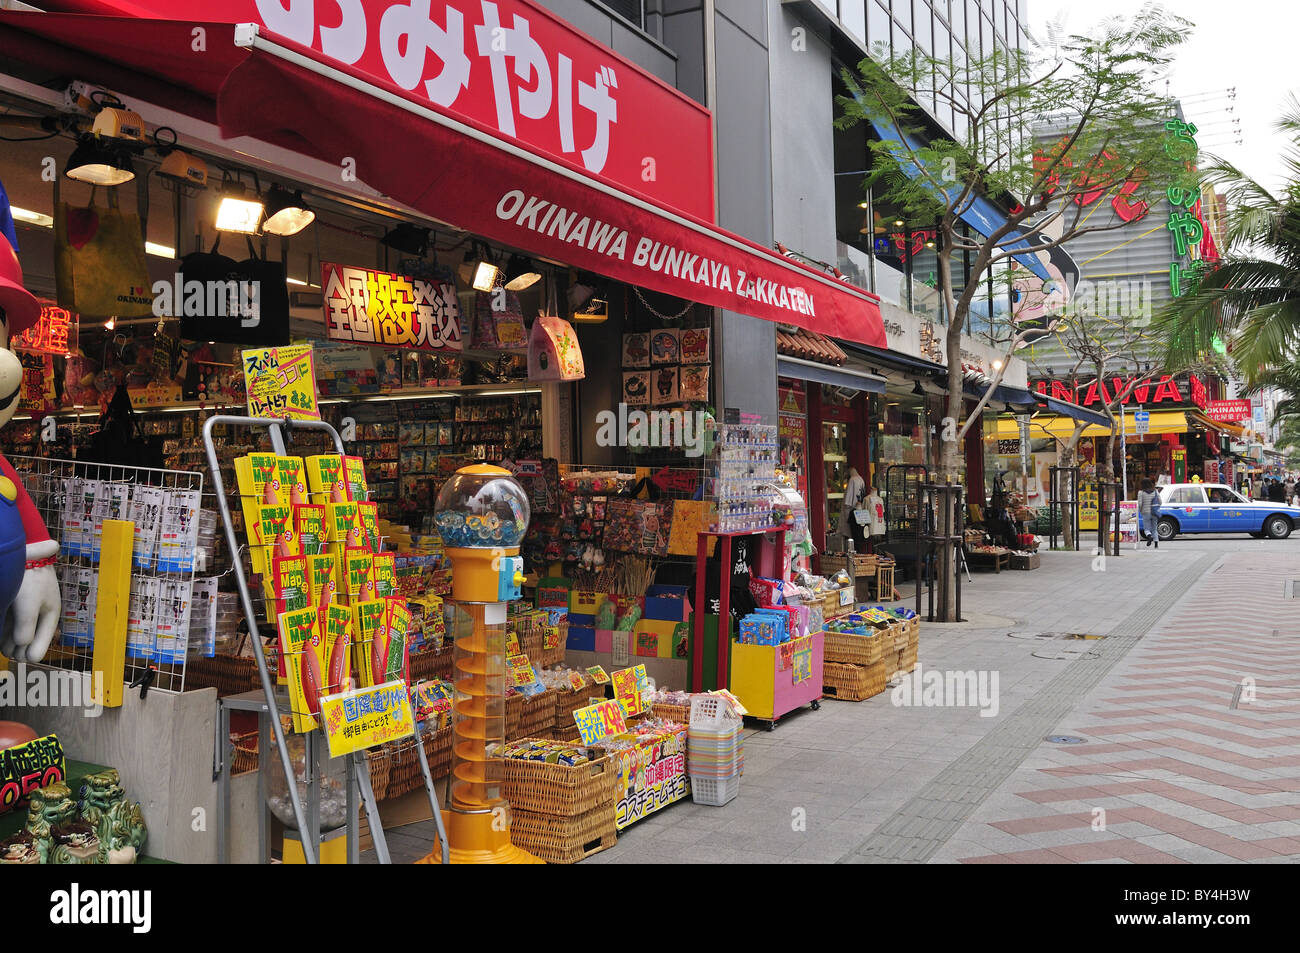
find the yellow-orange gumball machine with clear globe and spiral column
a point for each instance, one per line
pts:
(482, 516)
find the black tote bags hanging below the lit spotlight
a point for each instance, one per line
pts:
(235, 302)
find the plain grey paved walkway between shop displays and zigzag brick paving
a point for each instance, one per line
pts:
(861, 782)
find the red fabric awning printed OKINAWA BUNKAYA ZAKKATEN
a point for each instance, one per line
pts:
(265, 86)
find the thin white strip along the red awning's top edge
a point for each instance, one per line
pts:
(248, 36)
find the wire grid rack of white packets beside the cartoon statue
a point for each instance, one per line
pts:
(174, 539)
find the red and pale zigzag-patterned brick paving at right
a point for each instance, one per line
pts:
(1193, 748)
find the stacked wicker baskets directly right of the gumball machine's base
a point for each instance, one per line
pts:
(558, 813)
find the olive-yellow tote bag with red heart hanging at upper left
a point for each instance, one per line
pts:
(99, 261)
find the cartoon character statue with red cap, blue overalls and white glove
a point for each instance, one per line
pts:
(29, 586)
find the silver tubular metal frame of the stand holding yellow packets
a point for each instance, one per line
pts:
(271, 707)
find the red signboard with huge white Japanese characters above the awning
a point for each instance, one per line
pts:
(506, 66)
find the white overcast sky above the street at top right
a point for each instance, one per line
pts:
(1250, 45)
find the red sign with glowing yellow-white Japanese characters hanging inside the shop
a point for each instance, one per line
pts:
(363, 306)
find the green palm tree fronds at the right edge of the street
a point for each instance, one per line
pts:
(1253, 300)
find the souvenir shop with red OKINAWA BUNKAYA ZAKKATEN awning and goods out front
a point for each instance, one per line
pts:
(462, 480)
